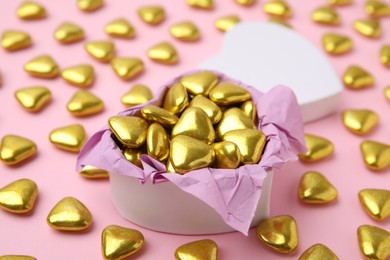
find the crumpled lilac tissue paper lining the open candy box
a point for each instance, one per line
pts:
(233, 193)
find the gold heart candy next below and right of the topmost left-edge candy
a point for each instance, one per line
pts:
(43, 67)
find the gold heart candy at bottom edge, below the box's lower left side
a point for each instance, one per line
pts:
(119, 242)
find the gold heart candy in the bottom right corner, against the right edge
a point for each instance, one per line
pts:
(374, 242)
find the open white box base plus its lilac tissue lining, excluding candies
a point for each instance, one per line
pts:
(206, 200)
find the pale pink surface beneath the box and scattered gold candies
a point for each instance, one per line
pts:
(334, 225)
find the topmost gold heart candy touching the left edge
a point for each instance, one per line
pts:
(13, 40)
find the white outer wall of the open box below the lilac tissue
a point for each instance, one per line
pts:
(164, 207)
